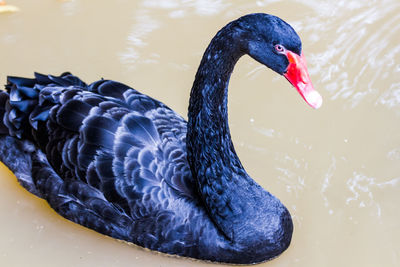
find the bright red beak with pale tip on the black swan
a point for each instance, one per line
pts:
(297, 75)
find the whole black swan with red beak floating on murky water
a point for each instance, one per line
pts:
(125, 165)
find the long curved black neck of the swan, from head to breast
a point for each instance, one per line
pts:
(211, 155)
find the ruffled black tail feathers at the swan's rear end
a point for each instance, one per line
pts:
(19, 111)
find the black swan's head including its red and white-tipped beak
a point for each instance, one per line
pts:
(275, 44)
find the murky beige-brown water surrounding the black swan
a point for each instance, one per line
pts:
(337, 169)
